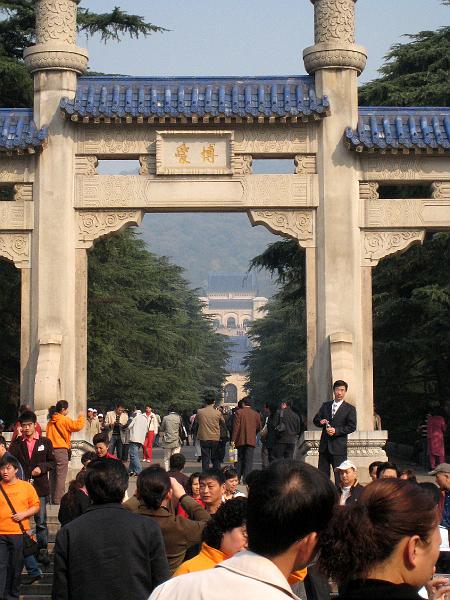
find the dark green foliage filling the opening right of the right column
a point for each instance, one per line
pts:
(412, 334)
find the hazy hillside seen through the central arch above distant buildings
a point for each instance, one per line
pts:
(204, 242)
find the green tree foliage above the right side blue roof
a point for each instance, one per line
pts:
(415, 74)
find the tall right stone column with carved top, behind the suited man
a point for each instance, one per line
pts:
(343, 302)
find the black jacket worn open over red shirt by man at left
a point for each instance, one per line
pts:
(41, 457)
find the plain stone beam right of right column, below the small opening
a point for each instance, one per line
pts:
(412, 213)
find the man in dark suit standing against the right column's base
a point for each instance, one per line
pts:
(337, 419)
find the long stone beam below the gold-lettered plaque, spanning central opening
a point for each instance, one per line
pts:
(195, 192)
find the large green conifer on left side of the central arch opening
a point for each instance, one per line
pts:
(147, 337)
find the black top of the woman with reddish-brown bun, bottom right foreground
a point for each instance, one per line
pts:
(375, 589)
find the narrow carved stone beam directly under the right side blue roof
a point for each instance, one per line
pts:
(401, 169)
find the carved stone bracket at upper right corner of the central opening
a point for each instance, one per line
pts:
(297, 224)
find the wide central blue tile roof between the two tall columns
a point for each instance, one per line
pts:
(192, 97)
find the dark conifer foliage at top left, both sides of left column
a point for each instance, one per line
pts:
(17, 32)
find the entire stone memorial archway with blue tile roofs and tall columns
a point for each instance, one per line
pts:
(195, 139)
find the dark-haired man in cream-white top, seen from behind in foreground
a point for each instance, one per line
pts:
(280, 541)
